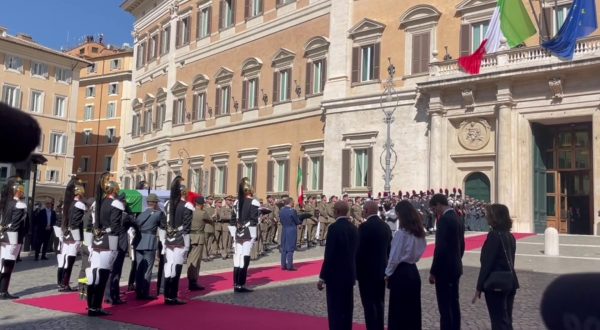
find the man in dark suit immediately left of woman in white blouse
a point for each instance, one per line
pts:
(374, 237)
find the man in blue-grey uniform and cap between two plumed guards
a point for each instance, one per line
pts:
(145, 250)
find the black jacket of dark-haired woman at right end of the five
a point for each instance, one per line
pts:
(493, 257)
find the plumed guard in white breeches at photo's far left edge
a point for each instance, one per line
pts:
(13, 211)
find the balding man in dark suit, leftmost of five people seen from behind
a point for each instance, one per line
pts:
(338, 272)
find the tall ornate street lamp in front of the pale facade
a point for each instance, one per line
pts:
(388, 106)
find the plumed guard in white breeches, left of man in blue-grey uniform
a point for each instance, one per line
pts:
(108, 213)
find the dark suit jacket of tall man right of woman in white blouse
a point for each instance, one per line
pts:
(449, 248)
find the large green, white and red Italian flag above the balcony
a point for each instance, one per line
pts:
(510, 21)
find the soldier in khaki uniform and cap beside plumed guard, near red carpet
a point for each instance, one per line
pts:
(197, 240)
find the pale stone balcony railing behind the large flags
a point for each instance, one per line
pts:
(515, 58)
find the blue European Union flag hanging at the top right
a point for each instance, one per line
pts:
(580, 22)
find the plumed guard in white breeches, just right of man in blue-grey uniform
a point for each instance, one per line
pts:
(176, 239)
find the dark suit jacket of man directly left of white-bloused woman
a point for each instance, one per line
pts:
(374, 241)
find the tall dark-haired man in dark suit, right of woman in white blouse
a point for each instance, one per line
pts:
(447, 261)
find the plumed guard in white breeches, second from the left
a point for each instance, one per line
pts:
(72, 231)
